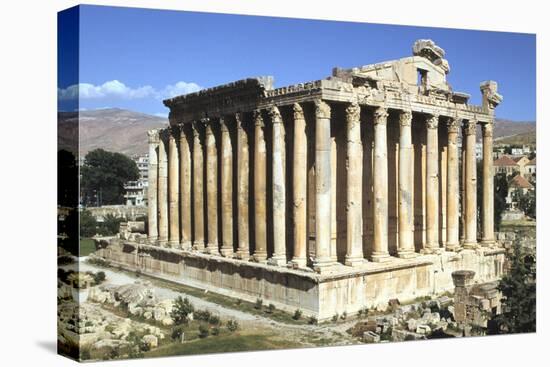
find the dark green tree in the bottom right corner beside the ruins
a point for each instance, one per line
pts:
(519, 292)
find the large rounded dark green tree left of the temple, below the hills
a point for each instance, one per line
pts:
(104, 175)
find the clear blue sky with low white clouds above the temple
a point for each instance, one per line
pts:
(133, 58)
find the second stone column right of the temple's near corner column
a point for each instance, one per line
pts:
(380, 186)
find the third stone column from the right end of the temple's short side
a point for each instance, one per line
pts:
(452, 243)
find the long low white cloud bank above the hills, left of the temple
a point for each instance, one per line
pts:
(116, 89)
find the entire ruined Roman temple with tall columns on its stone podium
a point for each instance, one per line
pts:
(326, 196)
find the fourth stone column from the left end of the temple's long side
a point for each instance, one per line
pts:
(185, 187)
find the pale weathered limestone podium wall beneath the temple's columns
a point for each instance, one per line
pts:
(319, 295)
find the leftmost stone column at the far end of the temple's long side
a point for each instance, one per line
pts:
(152, 189)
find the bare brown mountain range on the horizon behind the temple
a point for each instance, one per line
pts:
(125, 131)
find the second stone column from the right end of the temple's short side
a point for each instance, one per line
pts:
(470, 201)
